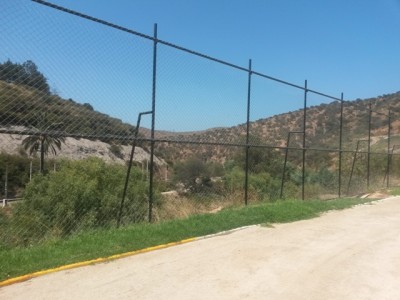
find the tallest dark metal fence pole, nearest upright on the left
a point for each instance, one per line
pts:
(153, 116)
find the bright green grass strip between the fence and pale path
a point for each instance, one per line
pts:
(102, 243)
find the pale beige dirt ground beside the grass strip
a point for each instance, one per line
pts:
(350, 254)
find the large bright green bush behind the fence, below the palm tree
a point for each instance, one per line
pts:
(83, 194)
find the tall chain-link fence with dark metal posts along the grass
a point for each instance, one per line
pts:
(78, 95)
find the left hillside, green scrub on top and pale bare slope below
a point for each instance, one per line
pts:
(90, 133)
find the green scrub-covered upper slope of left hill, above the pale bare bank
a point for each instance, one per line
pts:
(22, 105)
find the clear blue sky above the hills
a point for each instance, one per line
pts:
(349, 46)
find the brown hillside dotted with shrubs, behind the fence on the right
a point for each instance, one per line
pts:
(323, 123)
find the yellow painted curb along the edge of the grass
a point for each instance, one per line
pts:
(90, 262)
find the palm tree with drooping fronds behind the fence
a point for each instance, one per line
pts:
(43, 140)
